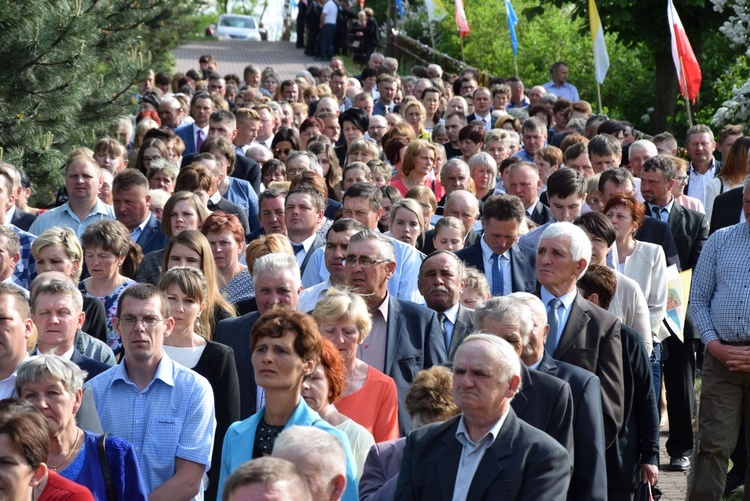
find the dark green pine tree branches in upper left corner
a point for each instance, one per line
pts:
(70, 67)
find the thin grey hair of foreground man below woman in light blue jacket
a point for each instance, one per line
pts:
(311, 448)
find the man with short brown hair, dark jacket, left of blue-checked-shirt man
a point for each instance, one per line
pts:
(57, 313)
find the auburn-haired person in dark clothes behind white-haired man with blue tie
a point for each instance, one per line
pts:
(634, 456)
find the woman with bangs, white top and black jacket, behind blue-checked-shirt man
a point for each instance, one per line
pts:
(190, 345)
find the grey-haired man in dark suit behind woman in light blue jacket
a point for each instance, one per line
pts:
(277, 282)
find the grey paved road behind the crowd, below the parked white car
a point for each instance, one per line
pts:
(233, 56)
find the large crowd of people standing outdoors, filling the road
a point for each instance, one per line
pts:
(374, 287)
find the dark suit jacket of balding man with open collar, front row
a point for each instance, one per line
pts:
(522, 464)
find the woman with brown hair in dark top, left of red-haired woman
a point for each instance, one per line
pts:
(182, 211)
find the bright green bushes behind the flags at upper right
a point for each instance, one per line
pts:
(546, 36)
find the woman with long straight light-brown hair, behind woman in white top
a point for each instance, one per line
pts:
(190, 248)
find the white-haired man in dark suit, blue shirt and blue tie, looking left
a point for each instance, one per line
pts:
(580, 333)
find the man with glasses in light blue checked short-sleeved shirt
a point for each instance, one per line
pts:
(165, 410)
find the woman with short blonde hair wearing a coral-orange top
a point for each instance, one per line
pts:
(369, 397)
